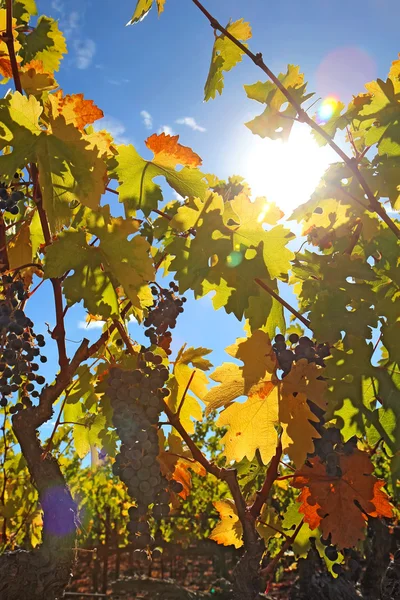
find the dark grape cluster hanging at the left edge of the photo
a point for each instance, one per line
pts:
(19, 347)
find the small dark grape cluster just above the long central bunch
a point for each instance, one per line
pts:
(163, 316)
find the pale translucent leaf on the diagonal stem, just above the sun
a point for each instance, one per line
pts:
(274, 122)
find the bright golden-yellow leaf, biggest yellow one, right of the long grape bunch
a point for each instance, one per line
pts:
(251, 425)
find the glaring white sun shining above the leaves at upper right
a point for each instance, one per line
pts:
(285, 172)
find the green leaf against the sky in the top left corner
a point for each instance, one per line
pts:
(45, 43)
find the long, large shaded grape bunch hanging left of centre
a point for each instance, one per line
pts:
(137, 401)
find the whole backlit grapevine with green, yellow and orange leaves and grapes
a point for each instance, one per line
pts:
(305, 457)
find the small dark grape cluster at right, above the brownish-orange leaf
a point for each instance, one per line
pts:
(301, 347)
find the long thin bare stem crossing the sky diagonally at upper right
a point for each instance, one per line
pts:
(303, 117)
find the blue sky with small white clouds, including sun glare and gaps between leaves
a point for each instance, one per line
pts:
(149, 78)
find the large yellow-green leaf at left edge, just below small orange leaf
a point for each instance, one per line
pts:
(68, 169)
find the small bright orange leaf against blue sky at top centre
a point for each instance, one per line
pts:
(168, 153)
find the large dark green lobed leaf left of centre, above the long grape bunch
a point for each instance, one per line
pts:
(100, 270)
